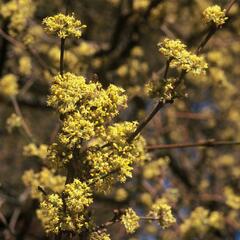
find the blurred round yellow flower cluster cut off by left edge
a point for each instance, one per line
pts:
(9, 85)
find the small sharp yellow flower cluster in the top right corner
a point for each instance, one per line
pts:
(215, 14)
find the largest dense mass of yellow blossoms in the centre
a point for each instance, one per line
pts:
(86, 109)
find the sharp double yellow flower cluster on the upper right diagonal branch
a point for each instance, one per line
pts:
(180, 58)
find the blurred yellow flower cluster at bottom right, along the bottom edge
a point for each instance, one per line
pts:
(200, 222)
